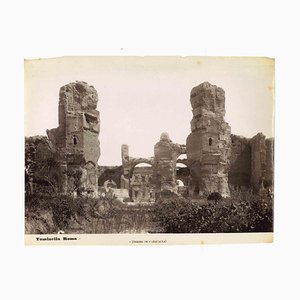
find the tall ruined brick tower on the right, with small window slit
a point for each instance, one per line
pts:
(209, 144)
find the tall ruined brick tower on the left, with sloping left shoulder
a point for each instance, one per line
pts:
(77, 134)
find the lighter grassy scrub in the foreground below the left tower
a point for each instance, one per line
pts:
(51, 214)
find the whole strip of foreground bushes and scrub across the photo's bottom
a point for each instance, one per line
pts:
(243, 212)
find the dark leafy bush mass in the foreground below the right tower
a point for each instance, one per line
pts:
(244, 212)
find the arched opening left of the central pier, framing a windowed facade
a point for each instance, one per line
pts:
(141, 189)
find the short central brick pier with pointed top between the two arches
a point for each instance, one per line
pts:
(166, 154)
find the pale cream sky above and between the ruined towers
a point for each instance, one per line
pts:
(141, 97)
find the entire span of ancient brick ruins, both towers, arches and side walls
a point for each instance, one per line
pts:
(215, 158)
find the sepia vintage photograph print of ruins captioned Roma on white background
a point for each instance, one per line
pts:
(148, 146)
